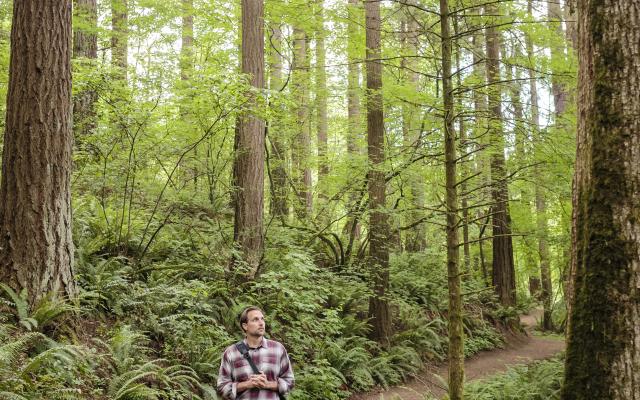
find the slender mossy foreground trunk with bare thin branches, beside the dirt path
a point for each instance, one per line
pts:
(456, 343)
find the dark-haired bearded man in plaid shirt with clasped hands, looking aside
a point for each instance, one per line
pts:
(237, 380)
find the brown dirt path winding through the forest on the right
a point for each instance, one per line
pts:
(517, 350)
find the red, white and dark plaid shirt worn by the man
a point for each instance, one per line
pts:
(270, 357)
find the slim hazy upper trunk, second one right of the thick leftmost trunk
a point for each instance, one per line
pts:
(120, 37)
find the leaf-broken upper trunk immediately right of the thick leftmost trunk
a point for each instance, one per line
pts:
(85, 46)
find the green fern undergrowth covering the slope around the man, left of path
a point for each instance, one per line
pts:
(156, 330)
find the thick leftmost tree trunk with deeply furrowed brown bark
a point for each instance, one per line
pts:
(36, 250)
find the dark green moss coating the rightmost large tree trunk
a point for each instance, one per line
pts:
(599, 330)
